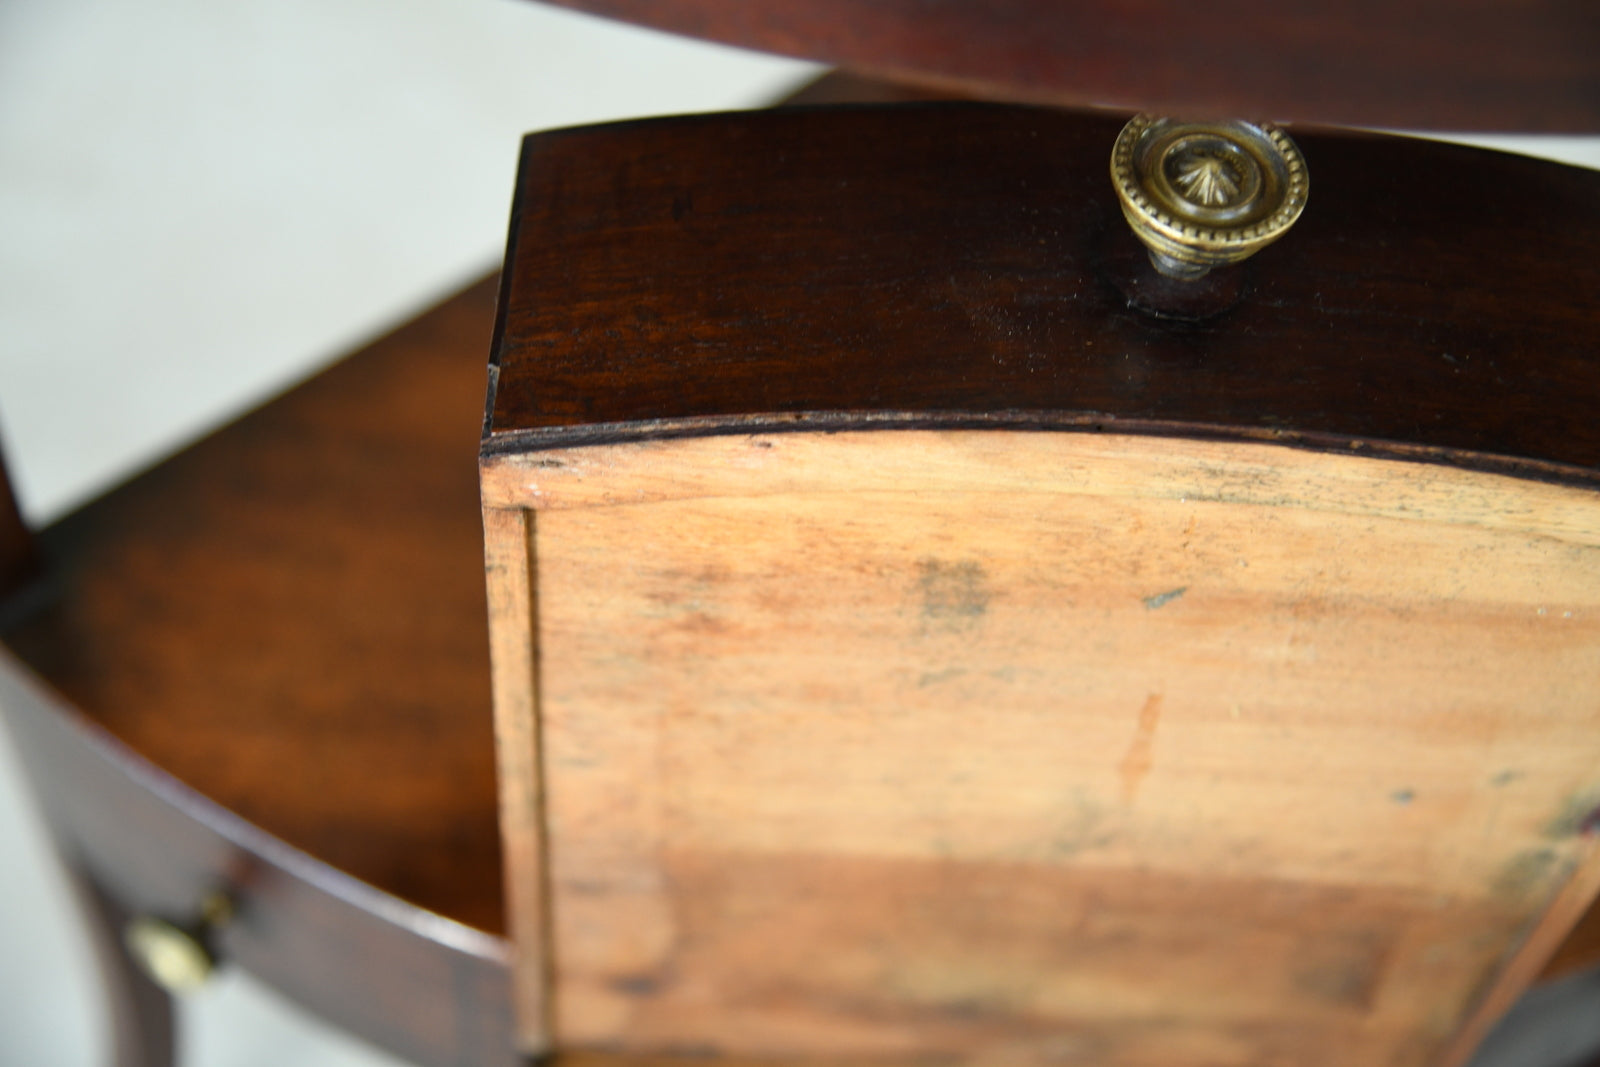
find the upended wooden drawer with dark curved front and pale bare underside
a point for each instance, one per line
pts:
(910, 649)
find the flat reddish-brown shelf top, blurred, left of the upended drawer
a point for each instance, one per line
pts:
(290, 618)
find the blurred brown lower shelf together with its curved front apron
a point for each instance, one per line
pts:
(289, 618)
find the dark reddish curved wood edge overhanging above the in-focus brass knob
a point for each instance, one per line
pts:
(1423, 65)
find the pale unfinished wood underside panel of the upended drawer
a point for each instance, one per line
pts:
(1054, 746)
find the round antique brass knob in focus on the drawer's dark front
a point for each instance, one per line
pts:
(1207, 194)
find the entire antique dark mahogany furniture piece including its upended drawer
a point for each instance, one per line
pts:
(841, 406)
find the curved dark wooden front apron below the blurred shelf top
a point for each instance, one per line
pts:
(138, 844)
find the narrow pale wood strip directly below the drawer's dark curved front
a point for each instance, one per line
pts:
(764, 465)
